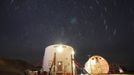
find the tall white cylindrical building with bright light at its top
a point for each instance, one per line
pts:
(58, 60)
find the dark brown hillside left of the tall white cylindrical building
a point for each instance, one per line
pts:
(13, 66)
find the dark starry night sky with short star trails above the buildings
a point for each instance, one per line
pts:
(102, 27)
